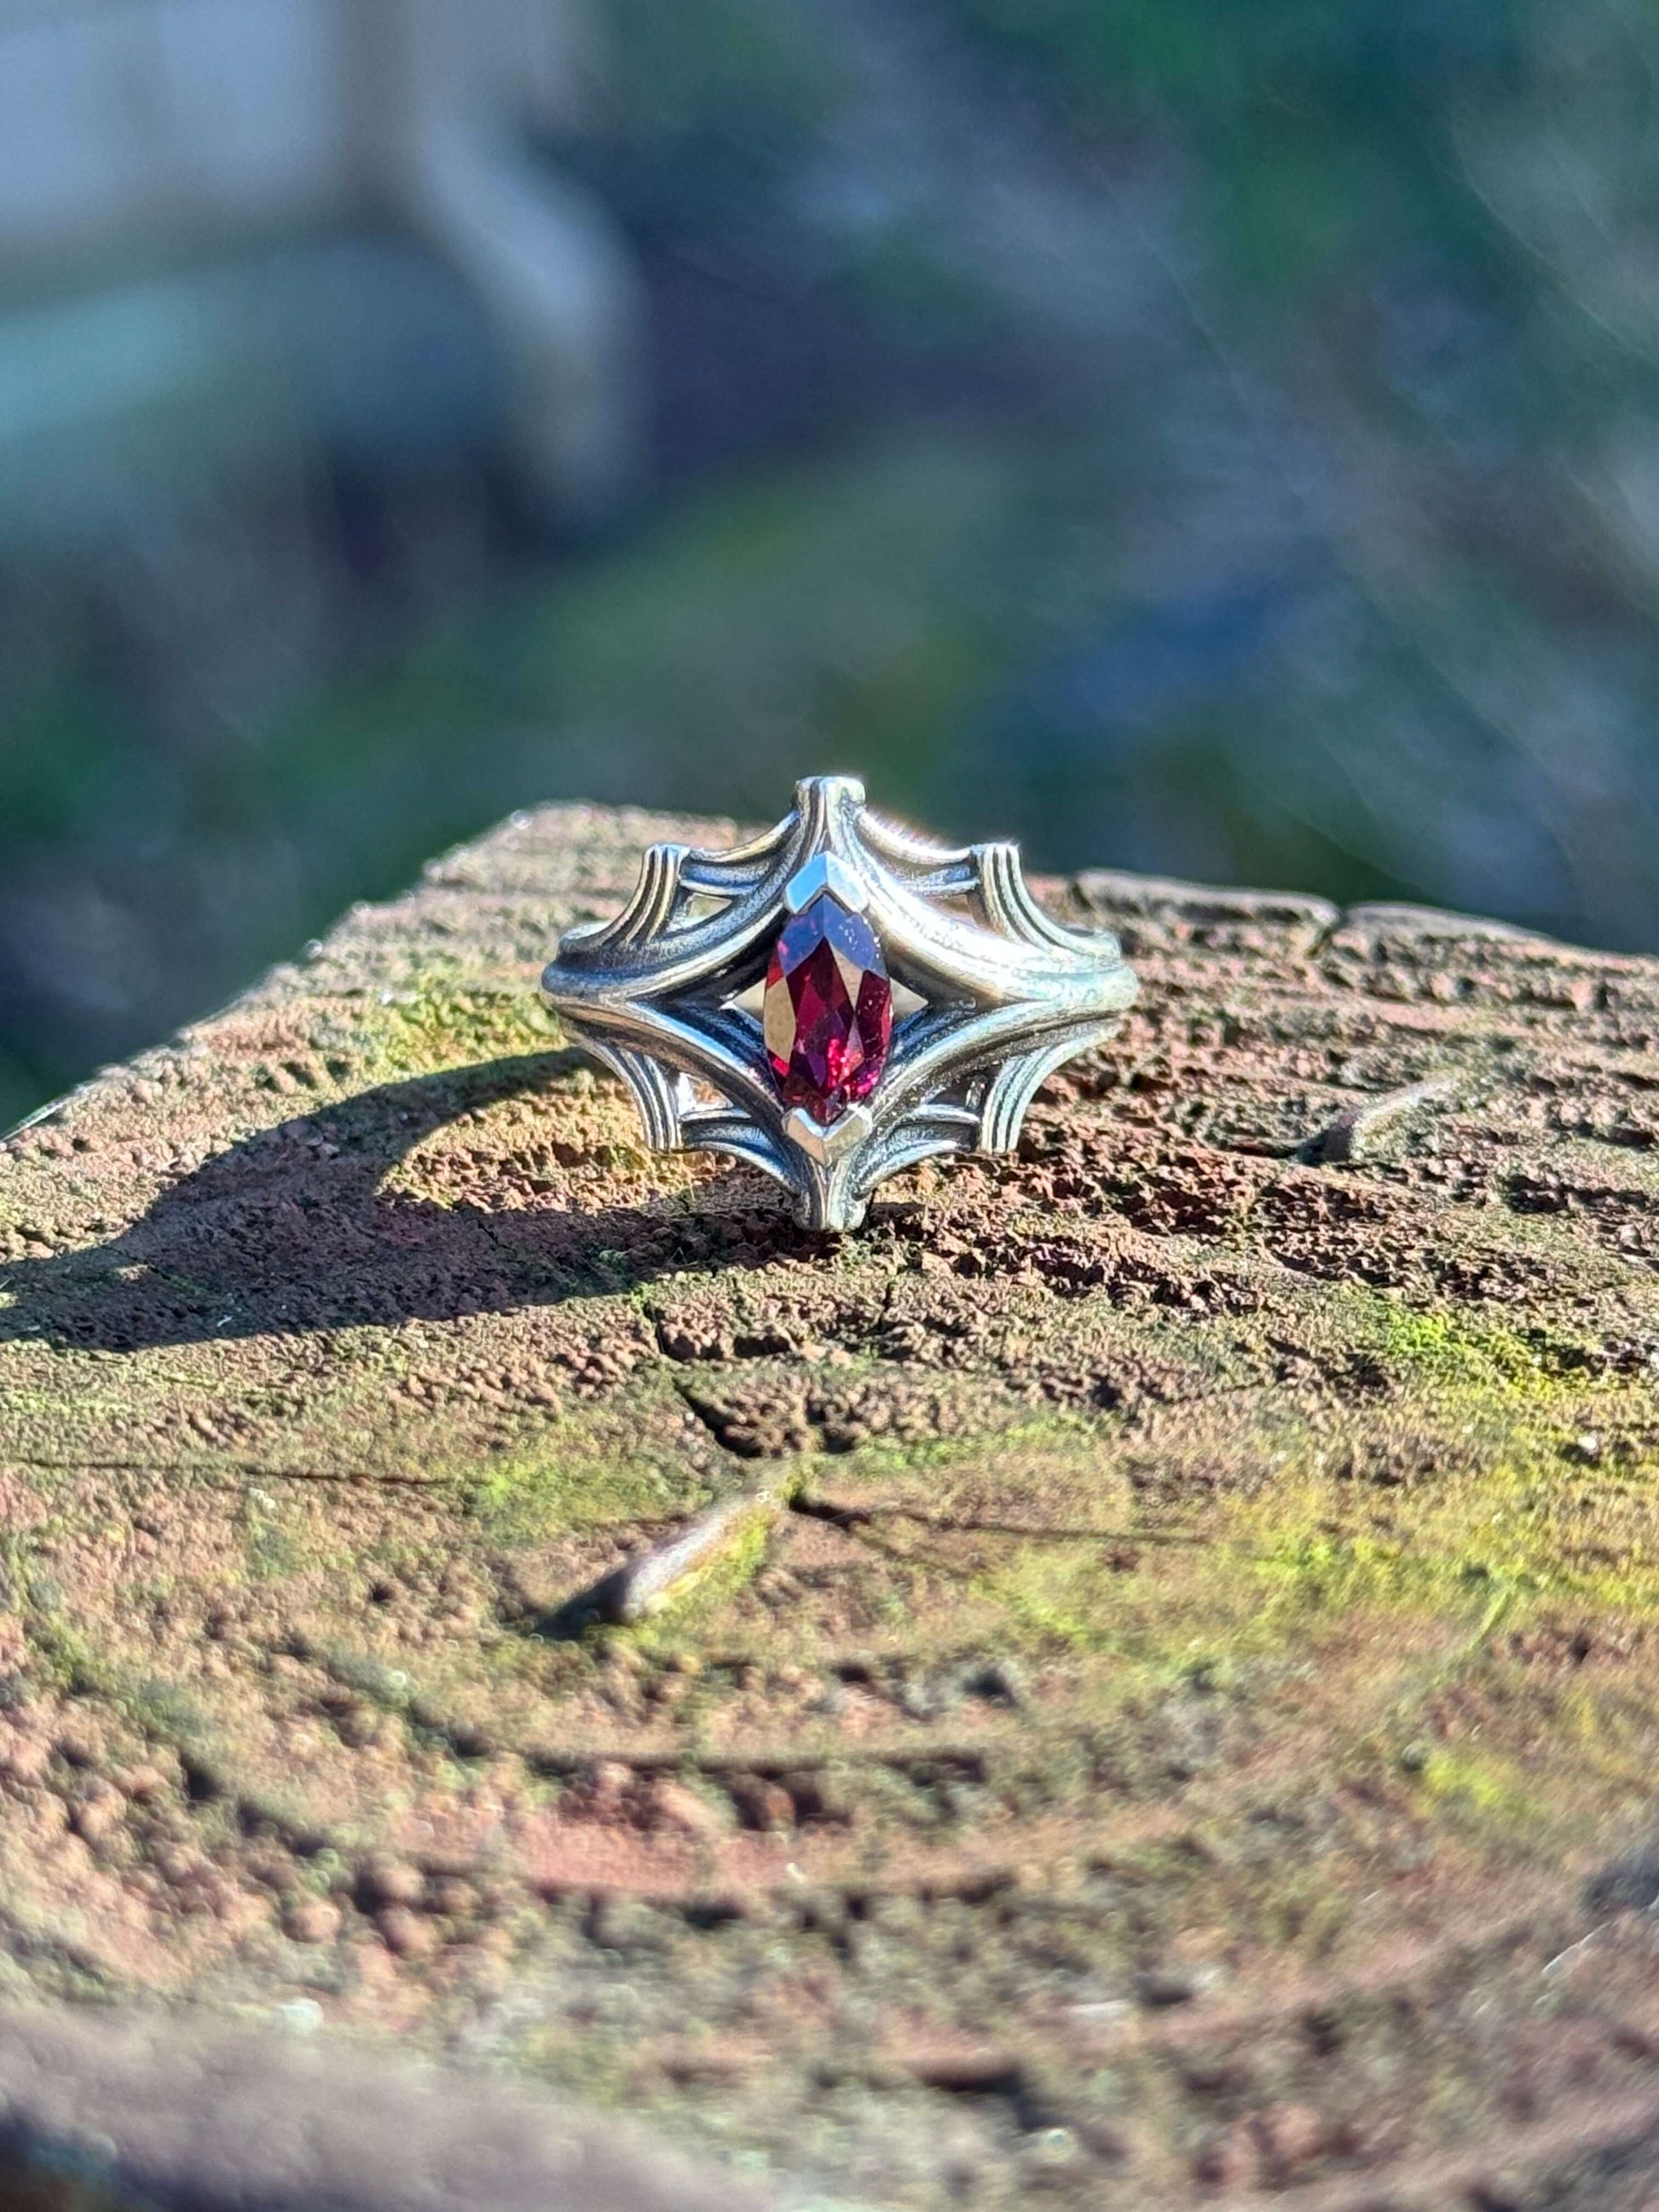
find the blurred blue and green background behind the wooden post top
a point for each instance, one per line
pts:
(1211, 437)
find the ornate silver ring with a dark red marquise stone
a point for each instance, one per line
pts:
(835, 1001)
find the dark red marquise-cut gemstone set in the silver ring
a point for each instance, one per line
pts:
(828, 1012)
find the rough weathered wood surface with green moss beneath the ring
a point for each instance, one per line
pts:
(1169, 1707)
